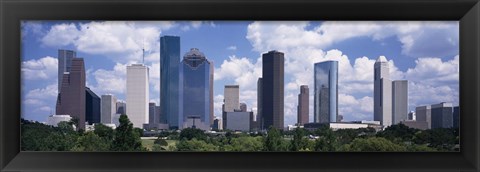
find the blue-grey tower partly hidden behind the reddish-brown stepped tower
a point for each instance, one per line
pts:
(64, 64)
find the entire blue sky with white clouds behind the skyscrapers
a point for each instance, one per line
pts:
(424, 53)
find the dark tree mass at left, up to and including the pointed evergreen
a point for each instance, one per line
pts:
(40, 137)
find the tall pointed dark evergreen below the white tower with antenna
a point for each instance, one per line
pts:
(125, 138)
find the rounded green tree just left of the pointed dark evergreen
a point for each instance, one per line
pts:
(91, 142)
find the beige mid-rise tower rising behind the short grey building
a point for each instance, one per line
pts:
(231, 101)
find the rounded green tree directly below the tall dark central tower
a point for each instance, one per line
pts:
(274, 140)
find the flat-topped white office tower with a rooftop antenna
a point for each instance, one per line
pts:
(137, 94)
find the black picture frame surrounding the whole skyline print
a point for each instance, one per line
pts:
(13, 11)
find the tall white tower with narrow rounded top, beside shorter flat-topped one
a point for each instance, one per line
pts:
(382, 91)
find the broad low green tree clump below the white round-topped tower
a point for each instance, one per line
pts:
(373, 144)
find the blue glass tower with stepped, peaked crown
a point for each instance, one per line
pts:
(195, 85)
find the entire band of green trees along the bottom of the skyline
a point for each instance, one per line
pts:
(40, 137)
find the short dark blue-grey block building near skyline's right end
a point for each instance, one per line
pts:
(442, 115)
